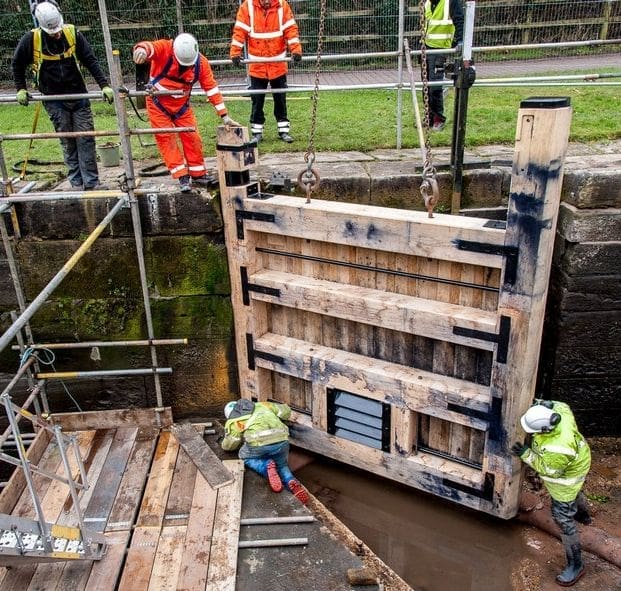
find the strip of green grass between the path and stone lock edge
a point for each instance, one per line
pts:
(362, 120)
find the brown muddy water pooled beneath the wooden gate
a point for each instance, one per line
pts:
(431, 544)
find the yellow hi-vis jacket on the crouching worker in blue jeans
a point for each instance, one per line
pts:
(262, 427)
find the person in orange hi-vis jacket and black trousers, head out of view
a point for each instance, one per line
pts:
(270, 30)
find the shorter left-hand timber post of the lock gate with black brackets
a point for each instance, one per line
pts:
(236, 156)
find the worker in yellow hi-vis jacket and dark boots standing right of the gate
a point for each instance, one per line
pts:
(562, 458)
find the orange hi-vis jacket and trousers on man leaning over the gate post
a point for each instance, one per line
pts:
(175, 110)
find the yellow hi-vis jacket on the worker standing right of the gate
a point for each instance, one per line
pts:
(562, 458)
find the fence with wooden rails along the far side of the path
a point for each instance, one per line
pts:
(351, 27)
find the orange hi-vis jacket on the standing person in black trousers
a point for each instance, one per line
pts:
(269, 33)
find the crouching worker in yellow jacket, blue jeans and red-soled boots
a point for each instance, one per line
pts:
(258, 431)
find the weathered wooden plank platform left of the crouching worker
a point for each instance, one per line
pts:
(166, 527)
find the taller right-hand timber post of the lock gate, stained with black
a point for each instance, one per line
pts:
(541, 143)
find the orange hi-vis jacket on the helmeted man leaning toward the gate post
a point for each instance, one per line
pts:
(169, 75)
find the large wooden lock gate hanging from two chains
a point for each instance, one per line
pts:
(407, 346)
